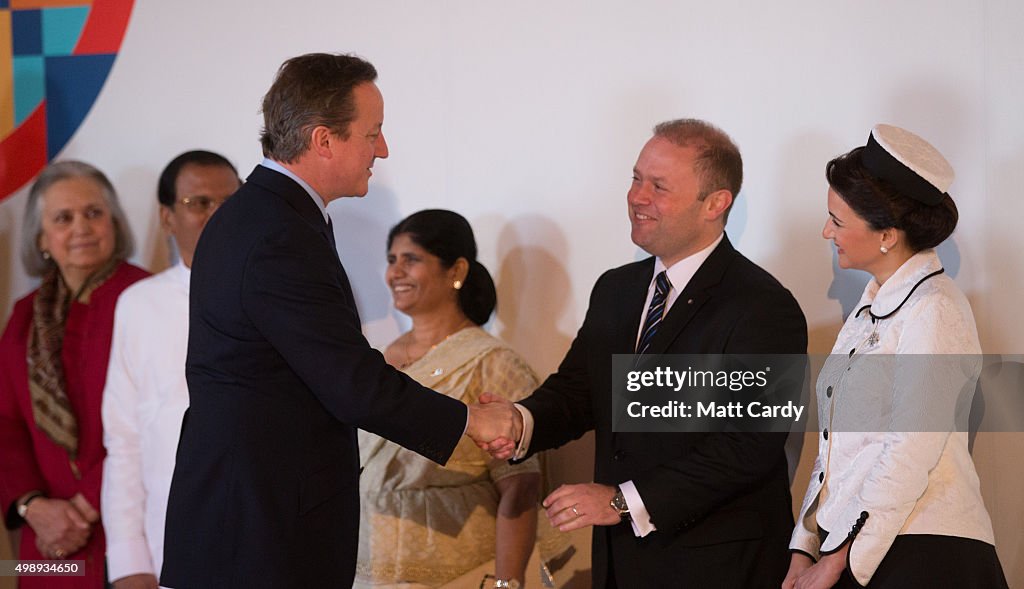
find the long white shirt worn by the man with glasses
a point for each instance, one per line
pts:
(145, 400)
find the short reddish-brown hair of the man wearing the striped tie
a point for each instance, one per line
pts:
(718, 165)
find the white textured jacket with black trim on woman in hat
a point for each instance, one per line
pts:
(891, 462)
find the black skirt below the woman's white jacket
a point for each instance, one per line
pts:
(936, 563)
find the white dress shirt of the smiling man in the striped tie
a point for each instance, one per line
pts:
(679, 276)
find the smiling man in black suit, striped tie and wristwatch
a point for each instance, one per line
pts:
(674, 510)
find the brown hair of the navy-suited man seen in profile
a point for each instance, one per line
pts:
(311, 91)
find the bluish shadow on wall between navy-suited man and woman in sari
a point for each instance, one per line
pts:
(361, 228)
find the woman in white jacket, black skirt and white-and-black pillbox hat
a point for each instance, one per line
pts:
(894, 500)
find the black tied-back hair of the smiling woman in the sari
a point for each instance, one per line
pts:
(448, 236)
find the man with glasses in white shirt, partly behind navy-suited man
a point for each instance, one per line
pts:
(146, 394)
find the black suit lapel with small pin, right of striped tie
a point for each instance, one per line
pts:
(694, 297)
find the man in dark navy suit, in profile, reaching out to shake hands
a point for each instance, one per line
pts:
(265, 492)
